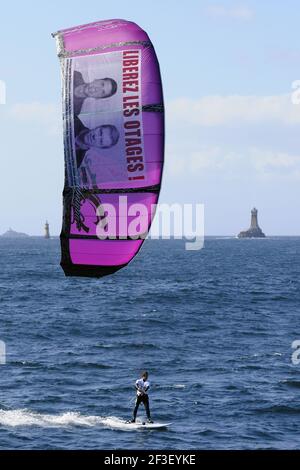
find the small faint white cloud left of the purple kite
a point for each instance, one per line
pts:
(47, 115)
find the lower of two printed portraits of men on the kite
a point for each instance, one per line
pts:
(101, 137)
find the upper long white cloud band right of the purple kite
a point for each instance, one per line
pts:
(235, 109)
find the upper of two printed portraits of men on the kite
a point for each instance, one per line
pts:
(98, 89)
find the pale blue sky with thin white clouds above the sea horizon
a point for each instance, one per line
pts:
(232, 132)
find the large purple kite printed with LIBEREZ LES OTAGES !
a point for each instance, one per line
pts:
(113, 117)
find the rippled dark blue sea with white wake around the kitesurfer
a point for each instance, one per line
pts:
(213, 327)
